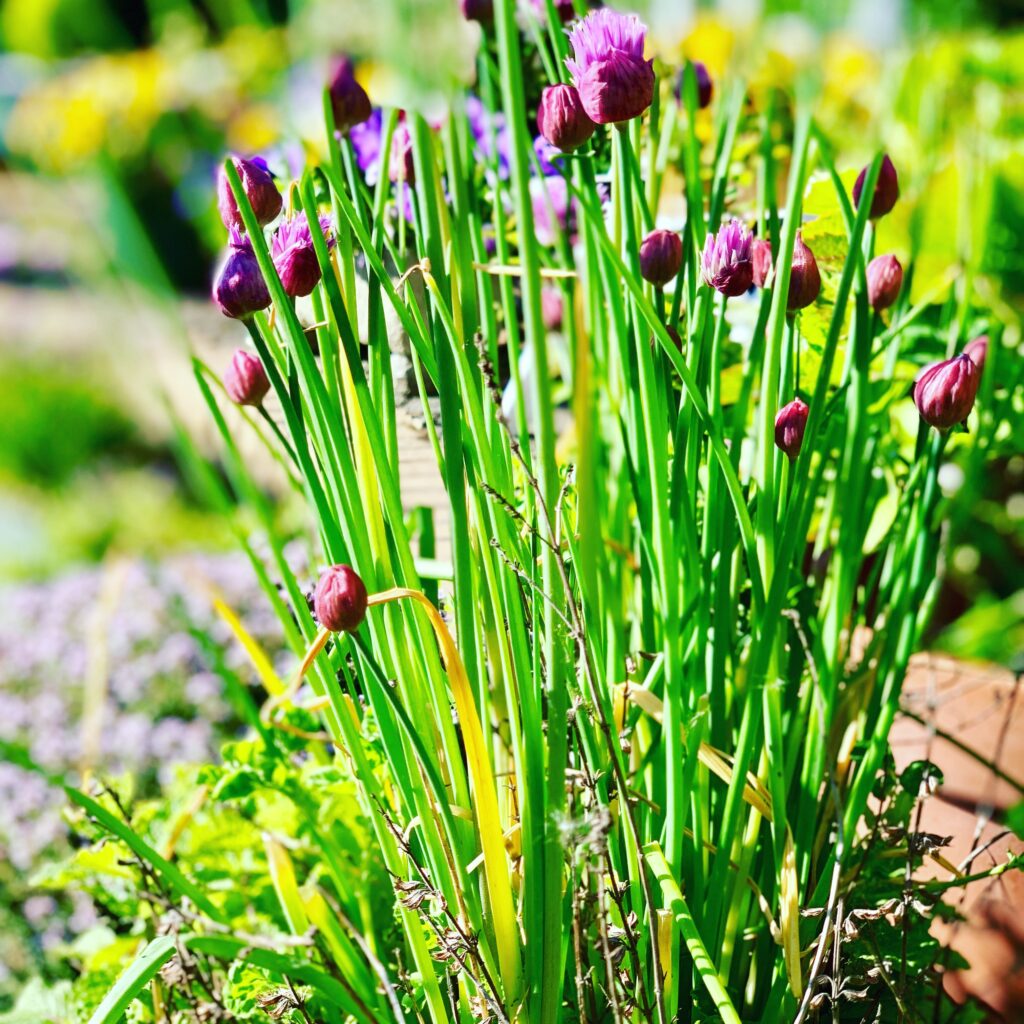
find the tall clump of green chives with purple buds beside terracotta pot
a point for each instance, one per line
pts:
(619, 749)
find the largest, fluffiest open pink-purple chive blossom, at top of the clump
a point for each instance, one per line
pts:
(616, 83)
